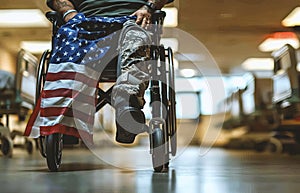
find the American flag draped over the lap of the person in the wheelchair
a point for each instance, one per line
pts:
(81, 49)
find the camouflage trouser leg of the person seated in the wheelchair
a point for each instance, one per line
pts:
(134, 62)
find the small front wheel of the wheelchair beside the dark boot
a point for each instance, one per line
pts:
(158, 153)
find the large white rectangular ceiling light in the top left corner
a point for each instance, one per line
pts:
(23, 18)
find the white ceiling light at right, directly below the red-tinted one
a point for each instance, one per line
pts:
(258, 64)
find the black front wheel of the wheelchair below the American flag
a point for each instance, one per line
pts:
(54, 146)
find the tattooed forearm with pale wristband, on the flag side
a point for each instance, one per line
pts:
(64, 7)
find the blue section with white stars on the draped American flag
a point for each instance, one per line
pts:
(80, 49)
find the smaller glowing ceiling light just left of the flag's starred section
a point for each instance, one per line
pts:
(35, 47)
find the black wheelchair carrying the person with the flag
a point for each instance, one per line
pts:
(162, 125)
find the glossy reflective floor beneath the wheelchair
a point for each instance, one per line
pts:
(217, 171)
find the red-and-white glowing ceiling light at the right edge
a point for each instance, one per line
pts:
(276, 40)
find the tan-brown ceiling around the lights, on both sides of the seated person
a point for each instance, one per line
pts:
(230, 30)
